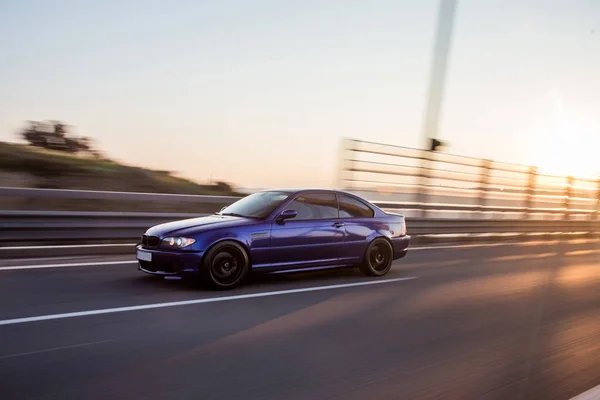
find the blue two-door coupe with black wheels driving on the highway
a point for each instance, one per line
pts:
(277, 231)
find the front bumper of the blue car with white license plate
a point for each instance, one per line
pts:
(170, 263)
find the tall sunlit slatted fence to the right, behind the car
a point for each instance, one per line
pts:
(437, 184)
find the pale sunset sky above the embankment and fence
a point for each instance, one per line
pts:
(259, 93)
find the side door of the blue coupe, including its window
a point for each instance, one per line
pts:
(313, 238)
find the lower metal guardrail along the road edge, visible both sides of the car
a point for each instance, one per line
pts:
(40, 226)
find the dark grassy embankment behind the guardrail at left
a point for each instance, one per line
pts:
(26, 166)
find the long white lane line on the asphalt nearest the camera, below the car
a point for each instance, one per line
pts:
(199, 301)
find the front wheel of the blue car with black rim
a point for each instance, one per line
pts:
(226, 265)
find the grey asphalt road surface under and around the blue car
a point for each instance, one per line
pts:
(508, 322)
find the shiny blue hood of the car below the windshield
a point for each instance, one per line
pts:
(195, 225)
